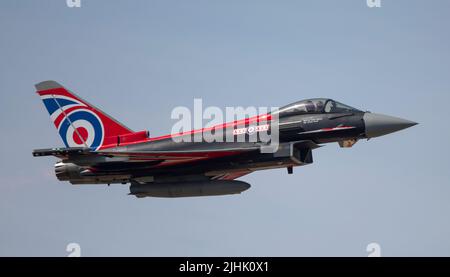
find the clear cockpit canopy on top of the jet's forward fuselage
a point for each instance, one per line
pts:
(316, 105)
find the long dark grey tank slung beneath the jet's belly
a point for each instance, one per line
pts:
(188, 188)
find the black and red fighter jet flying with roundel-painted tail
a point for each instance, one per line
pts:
(100, 150)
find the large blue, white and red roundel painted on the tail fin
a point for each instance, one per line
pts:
(77, 124)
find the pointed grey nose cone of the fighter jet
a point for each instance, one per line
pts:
(380, 124)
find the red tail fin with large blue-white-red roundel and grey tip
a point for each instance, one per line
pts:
(79, 123)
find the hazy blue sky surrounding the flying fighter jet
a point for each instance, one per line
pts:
(137, 60)
